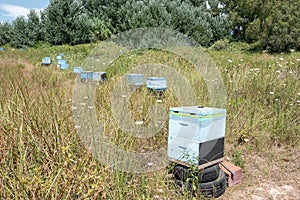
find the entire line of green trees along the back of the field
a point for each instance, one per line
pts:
(267, 25)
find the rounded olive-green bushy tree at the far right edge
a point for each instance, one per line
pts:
(280, 30)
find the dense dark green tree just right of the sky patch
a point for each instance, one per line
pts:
(66, 22)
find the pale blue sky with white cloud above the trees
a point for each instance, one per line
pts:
(10, 9)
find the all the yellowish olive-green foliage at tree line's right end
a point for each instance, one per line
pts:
(272, 25)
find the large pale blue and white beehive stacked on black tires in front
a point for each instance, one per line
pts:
(196, 135)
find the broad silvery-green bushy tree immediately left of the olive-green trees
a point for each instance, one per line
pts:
(183, 16)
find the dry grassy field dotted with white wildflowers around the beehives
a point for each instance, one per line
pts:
(42, 156)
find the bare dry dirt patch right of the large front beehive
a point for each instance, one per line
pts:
(273, 175)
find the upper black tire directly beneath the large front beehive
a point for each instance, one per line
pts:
(208, 174)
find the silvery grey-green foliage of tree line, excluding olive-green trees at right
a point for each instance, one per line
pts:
(83, 21)
